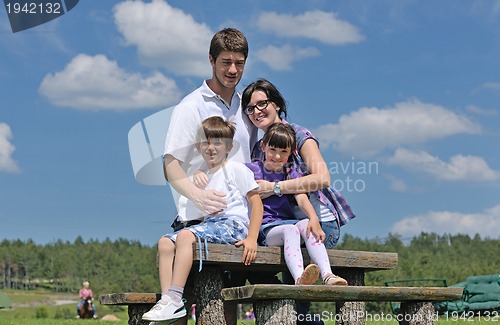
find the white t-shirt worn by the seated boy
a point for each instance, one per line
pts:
(235, 180)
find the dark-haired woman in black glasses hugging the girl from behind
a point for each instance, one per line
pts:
(264, 105)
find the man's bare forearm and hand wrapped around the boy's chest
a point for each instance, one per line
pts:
(208, 201)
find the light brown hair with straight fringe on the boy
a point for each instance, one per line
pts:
(216, 127)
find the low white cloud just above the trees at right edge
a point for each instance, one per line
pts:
(484, 223)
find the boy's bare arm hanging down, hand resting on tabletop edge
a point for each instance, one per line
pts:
(250, 243)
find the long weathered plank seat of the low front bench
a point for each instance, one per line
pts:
(339, 293)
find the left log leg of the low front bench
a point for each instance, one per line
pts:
(275, 312)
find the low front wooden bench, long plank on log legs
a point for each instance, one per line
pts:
(275, 304)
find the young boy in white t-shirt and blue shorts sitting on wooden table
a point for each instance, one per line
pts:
(214, 141)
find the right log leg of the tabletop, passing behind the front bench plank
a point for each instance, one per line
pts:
(351, 313)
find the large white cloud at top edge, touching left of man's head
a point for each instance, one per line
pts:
(165, 36)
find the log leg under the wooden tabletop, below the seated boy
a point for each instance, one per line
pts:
(207, 287)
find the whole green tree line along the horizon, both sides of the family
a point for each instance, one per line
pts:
(129, 266)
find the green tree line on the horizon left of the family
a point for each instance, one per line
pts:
(62, 266)
